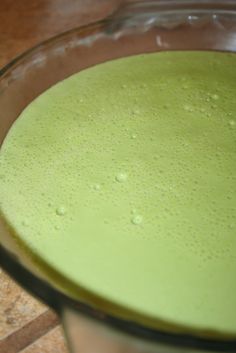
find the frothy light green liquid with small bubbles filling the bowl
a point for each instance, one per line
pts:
(123, 179)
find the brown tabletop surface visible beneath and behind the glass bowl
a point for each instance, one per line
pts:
(25, 324)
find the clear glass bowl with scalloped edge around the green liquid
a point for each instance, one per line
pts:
(93, 324)
